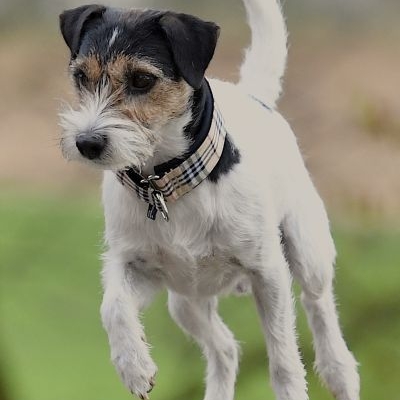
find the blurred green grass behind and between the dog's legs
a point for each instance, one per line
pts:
(53, 345)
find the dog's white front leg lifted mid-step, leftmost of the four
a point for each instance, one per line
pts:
(128, 287)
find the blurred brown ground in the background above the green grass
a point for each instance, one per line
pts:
(341, 98)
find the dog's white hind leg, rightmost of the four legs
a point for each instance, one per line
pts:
(311, 254)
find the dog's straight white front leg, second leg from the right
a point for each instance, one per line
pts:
(271, 284)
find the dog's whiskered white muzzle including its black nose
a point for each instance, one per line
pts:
(104, 138)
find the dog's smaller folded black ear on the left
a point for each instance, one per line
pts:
(75, 23)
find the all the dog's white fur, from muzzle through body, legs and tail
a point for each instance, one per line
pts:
(223, 236)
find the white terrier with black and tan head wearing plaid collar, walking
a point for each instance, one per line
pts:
(205, 193)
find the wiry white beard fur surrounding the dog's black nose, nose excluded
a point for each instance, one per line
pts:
(129, 143)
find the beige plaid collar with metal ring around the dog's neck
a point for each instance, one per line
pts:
(170, 182)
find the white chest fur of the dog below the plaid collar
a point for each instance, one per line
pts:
(198, 251)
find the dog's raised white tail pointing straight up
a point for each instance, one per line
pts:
(265, 59)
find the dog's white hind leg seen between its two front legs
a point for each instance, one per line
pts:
(199, 318)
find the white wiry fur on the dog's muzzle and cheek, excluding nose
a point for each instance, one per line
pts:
(129, 142)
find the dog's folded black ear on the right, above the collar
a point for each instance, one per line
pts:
(192, 42)
